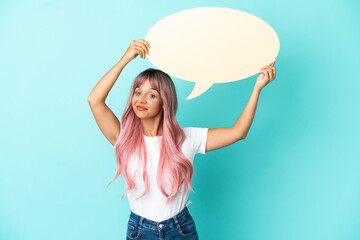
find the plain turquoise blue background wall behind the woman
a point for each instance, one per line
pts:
(295, 176)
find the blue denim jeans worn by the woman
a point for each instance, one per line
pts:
(181, 226)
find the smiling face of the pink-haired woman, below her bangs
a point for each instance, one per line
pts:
(149, 98)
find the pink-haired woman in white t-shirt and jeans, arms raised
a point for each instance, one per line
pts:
(154, 154)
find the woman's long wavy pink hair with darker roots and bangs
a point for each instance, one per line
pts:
(173, 164)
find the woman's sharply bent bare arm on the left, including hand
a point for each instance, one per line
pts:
(105, 118)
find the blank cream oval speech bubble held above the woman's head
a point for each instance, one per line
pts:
(211, 45)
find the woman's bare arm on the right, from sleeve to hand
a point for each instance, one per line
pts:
(221, 137)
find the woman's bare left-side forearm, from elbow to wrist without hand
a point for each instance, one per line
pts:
(103, 87)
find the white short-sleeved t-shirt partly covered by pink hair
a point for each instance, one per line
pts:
(152, 205)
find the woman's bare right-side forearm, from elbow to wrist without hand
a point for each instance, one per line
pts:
(243, 123)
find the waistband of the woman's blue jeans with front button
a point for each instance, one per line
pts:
(145, 222)
